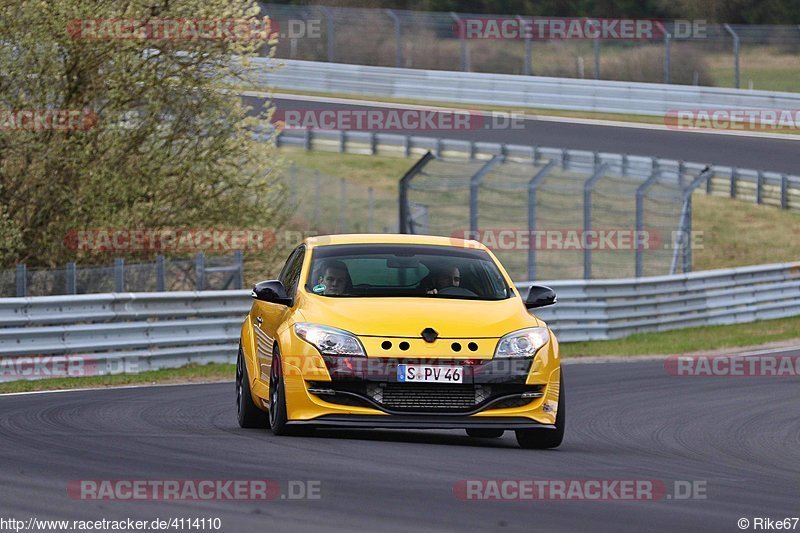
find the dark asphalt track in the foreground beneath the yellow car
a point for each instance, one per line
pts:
(626, 421)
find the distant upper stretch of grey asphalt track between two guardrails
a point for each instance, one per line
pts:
(760, 153)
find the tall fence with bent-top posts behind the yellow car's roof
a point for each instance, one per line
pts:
(559, 217)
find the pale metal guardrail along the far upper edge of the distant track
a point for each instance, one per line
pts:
(513, 90)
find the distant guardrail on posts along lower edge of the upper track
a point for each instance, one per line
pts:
(749, 185)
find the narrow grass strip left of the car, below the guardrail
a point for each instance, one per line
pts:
(187, 374)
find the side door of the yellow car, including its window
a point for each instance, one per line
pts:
(267, 317)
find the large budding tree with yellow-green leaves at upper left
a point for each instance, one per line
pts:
(98, 131)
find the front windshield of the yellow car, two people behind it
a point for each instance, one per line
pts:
(381, 270)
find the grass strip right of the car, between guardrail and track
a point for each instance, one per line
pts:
(690, 339)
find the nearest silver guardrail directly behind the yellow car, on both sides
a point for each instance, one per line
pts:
(135, 332)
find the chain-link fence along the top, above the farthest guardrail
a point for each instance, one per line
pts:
(682, 52)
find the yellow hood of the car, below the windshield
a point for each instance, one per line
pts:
(407, 317)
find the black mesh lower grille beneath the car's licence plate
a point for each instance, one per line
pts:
(427, 397)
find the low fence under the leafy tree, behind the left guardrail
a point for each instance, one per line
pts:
(201, 272)
